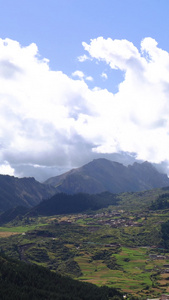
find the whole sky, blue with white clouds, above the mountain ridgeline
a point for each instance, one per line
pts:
(81, 80)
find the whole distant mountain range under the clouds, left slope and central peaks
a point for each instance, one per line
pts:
(96, 177)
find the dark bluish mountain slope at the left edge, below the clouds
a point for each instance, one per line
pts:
(22, 192)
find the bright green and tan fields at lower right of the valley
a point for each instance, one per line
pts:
(135, 276)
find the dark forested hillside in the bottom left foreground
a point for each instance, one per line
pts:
(24, 281)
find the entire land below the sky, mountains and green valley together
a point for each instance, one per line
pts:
(104, 227)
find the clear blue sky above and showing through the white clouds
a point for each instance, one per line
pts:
(59, 27)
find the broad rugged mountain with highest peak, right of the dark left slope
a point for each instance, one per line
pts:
(104, 175)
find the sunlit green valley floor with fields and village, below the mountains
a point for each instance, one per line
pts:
(120, 245)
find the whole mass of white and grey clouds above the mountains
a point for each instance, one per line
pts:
(50, 122)
